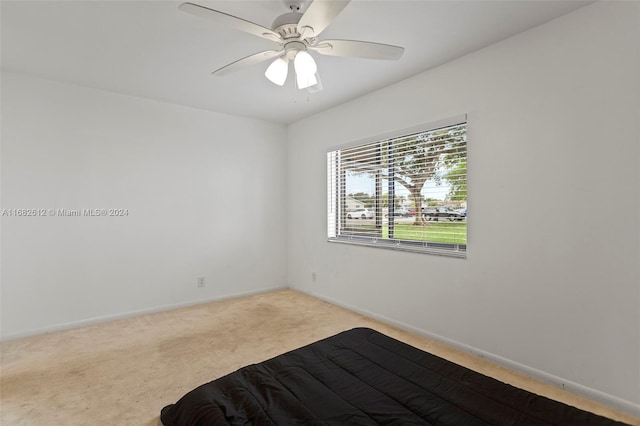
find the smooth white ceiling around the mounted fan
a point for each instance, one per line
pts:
(151, 49)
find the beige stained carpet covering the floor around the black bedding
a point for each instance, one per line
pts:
(124, 372)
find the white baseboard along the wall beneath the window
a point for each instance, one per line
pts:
(590, 393)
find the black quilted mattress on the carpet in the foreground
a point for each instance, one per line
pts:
(363, 377)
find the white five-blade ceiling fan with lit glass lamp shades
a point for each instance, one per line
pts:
(296, 34)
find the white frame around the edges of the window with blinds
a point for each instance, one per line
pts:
(415, 246)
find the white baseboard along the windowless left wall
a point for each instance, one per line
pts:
(97, 320)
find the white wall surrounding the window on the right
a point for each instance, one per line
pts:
(551, 282)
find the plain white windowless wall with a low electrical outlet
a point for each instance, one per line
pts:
(205, 192)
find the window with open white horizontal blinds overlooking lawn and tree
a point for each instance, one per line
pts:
(407, 191)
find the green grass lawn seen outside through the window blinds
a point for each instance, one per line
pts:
(441, 232)
